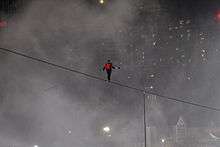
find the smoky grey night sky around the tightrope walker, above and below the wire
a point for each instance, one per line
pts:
(169, 47)
